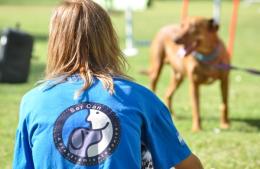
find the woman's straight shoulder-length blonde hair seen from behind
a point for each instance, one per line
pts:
(82, 40)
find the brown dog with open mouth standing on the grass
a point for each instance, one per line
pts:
(195, 50)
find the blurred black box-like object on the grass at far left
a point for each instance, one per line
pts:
(15, 55)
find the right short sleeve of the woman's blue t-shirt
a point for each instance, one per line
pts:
(163, 140)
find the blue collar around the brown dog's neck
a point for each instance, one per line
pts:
(207, 58)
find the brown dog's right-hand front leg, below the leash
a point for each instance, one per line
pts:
(224, 123)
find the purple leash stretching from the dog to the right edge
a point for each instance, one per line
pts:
(232, 67)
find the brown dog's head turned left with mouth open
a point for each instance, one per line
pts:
(196, 33)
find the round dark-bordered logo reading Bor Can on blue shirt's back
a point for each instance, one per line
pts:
(87, 133)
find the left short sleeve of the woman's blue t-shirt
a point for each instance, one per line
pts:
(22, 152)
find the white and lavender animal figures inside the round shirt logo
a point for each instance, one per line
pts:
(90, 142)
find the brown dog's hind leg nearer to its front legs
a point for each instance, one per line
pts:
(175, 82)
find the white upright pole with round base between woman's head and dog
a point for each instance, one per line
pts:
(130, 50)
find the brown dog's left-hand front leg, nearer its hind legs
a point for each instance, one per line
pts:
(195, 103)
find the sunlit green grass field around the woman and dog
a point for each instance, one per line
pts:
(236, 148)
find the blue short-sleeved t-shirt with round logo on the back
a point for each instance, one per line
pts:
(96, 130)
